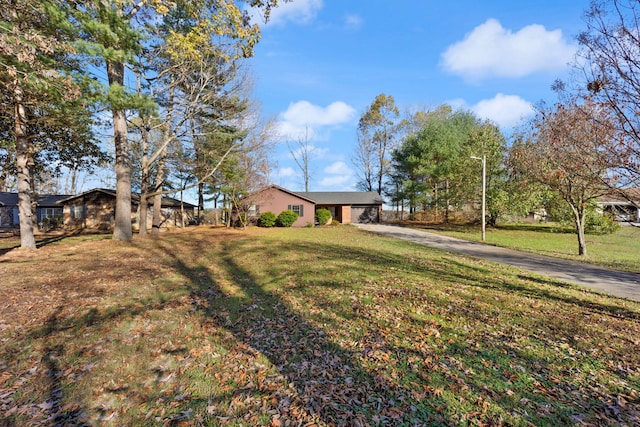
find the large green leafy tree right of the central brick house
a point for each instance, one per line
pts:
(434, 164)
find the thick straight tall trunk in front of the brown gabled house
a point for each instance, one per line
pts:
(122, 229)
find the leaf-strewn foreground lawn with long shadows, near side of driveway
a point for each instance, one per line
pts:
(312, 326)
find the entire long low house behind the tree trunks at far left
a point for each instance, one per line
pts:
(93, 209)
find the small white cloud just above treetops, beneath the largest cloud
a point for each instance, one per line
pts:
(505, 110)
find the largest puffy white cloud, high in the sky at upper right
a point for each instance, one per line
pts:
(491, 50)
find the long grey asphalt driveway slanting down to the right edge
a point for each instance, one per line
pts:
(621, 284)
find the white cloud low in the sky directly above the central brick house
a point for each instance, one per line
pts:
(304, 120)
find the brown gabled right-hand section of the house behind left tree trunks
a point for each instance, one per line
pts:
(95, 209)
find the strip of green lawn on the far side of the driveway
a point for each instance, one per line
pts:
(620, 250)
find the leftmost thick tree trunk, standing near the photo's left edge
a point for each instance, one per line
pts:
(23, 157)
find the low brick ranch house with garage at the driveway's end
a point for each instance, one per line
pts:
(345, 206)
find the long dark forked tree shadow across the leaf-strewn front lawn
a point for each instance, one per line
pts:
(330, 384)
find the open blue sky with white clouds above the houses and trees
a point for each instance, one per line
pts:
(321, 63)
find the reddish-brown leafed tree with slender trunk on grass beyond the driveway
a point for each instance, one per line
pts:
(568, 150)
